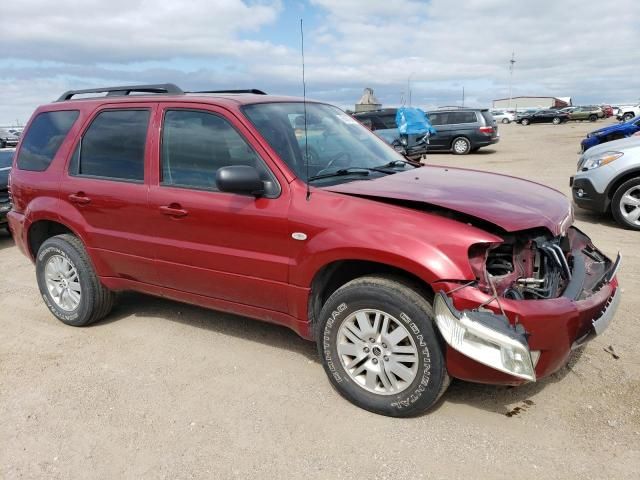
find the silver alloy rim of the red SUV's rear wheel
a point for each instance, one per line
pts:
(63, 284)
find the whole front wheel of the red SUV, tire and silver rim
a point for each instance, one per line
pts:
(378, 345)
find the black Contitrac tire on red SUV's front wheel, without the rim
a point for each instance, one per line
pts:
(399, 300)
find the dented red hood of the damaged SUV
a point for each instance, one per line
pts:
(510, 203)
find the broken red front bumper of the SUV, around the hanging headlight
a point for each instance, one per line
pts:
(551, 328)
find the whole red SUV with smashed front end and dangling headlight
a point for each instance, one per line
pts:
(404, 276)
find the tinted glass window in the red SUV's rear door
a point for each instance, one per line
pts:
(113, 146)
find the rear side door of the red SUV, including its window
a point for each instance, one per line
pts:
(107, 185)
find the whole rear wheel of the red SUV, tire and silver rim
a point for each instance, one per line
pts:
(68, 284)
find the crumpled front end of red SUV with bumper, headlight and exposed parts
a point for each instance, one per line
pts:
(535, 298)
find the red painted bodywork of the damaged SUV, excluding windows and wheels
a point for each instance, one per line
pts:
(235, 253)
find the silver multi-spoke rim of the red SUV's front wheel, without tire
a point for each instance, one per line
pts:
(377, 352)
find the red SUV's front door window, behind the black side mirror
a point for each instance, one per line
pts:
(195, 144)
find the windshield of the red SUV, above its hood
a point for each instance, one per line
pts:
(335, 141)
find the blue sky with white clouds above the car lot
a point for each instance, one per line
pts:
(434, 48)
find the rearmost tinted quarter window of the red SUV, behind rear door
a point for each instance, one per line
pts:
(43, 139)
